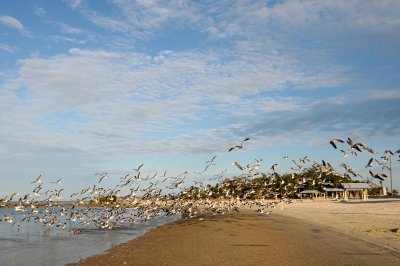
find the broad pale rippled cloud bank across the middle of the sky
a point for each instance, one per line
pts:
(118, 100)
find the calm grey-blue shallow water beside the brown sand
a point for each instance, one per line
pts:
(34, 244)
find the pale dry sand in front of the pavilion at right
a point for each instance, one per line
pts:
(371, 220)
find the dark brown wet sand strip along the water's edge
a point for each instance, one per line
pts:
(247, 238)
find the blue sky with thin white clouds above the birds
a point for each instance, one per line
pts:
(103, 86)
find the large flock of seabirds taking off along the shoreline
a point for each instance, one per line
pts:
(138, 197)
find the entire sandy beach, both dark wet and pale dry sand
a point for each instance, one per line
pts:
(302, 233)
